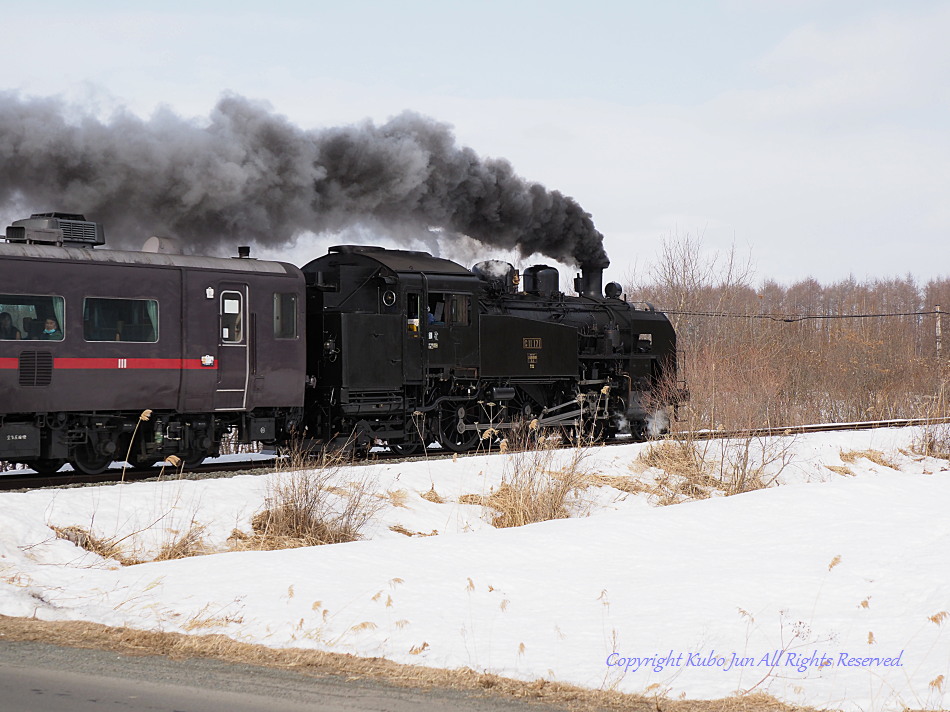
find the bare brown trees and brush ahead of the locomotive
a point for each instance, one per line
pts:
(773, 354)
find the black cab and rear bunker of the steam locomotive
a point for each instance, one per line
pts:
(391, 331)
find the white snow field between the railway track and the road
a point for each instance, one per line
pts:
(826, 588)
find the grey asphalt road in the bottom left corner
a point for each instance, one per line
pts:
(36, 677)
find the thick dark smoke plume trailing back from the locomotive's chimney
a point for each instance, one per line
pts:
(248, 174)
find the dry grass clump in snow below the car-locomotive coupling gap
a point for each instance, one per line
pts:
(303, 508)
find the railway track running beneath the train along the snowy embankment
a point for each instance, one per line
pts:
(230, 469)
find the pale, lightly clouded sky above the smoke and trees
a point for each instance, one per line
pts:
(809, 135)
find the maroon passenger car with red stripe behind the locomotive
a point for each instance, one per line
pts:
(90, 339)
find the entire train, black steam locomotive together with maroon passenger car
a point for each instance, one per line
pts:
(113, 355)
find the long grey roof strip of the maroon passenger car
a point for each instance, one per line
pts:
(155, 259)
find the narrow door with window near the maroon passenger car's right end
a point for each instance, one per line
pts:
(233, 351)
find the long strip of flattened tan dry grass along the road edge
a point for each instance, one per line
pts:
(179, 646)
